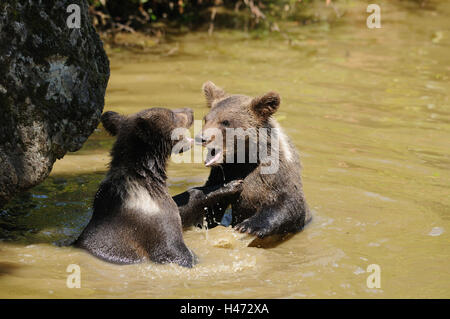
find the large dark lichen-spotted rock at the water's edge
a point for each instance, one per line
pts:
(52, 87)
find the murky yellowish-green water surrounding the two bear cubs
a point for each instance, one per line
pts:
(369, 111)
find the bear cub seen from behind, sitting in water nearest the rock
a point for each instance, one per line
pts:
(134, 217)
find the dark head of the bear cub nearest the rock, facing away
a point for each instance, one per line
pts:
(149, 132)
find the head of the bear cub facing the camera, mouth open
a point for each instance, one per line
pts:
(239, 117)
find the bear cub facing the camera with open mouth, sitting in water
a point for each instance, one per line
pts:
(270, 203)
